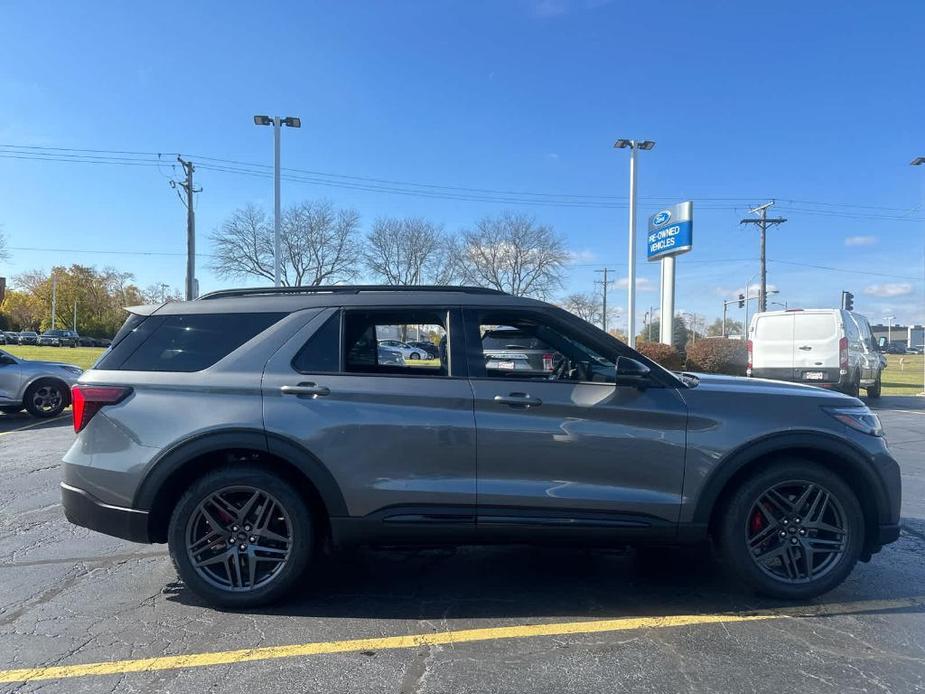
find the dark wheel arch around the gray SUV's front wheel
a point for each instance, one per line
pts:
(837, 455)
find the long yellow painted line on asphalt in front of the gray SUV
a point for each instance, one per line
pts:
(119, 667)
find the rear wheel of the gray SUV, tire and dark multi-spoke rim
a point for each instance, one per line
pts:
(273, 577)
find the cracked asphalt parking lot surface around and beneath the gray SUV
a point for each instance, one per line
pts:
(82, 612)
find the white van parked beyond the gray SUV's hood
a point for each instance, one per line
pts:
(824, 347)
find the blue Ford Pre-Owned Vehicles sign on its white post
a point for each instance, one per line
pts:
(671, 233)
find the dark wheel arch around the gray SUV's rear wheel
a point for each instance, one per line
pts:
(169, 475)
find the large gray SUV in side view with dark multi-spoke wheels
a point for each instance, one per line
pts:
(252, 427)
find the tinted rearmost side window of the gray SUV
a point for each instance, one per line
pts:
(185, 343)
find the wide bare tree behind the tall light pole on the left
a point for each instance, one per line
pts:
(319, 244)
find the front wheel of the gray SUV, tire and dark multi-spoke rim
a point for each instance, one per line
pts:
(784, 575)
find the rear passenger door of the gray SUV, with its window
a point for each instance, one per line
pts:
(399, 441)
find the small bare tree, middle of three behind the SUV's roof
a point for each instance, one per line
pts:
(410, 251)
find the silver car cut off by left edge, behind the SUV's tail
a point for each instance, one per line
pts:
(40, 387)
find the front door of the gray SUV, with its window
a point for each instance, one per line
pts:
(566, 450)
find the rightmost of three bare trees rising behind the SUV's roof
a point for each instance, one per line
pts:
(512, 253)
